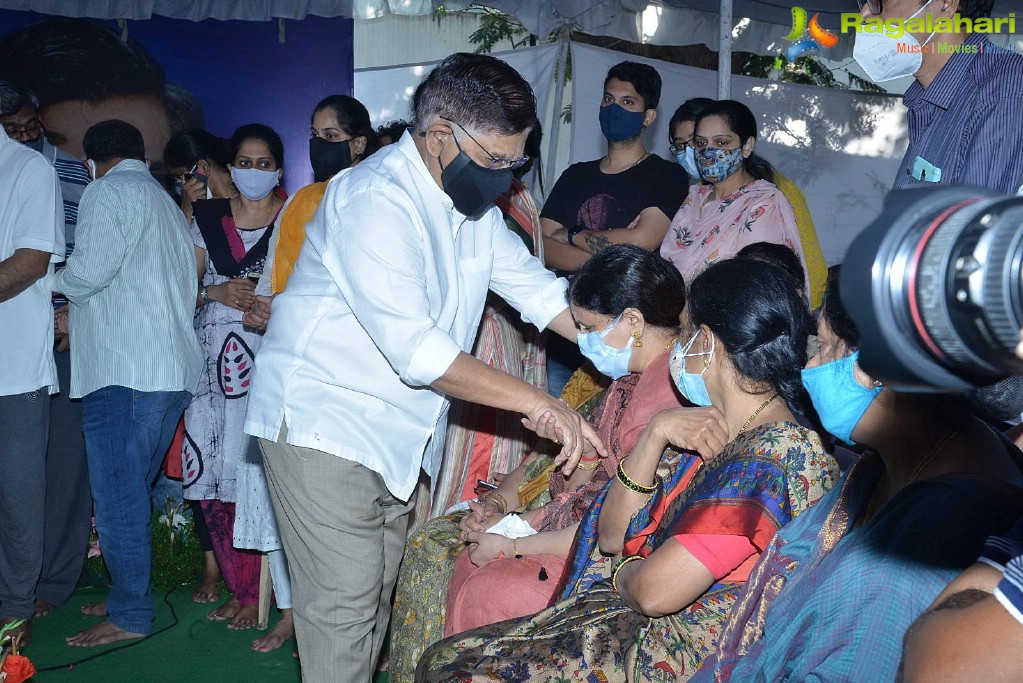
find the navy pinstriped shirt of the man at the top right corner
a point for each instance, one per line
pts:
(967, 126)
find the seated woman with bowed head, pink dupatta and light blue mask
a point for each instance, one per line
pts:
(627, 301)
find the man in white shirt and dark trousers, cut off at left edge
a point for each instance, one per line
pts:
(31, 241)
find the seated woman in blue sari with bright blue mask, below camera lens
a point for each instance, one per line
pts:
(835, 593)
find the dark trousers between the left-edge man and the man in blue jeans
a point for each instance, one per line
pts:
(69, 499)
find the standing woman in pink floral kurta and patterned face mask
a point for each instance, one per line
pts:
(737, 205)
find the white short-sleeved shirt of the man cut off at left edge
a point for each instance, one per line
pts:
(31, 218)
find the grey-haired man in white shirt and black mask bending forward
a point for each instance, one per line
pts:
(373, 336)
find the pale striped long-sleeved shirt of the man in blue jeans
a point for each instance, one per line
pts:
(132, 284)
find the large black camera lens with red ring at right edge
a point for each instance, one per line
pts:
(935, 285)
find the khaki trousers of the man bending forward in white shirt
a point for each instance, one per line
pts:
(344, 535)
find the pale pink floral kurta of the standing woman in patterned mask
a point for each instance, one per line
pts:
(704, 231)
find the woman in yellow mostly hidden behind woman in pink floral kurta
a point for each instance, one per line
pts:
(682, 130)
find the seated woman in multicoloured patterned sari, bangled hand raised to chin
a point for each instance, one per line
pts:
(683, 536)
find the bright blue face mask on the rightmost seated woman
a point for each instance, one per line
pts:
(839, 399)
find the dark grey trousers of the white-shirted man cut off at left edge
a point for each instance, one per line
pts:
(24, 433)
